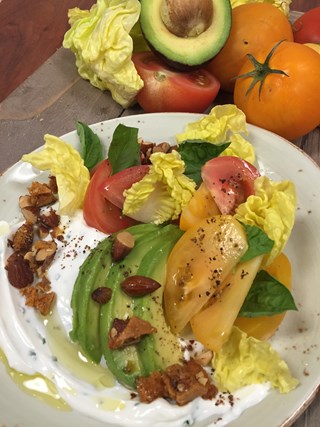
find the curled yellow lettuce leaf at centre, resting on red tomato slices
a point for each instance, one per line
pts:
(161, 194)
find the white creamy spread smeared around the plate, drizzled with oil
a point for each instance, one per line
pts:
(41, 345)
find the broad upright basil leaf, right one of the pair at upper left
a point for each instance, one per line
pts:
(124, 150)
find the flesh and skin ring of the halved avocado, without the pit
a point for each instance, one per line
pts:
(185, 54)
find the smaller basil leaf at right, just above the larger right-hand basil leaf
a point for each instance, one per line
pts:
(258, 241)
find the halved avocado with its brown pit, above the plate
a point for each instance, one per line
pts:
(186, 33)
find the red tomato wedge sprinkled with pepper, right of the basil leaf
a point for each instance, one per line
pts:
(230, 181)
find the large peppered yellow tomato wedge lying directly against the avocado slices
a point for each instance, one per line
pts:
(199, 264)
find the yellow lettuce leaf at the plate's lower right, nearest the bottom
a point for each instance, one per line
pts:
(244, 360)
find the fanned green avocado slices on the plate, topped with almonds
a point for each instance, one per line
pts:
(92, 322)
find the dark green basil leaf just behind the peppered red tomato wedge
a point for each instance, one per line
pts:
(195, 153)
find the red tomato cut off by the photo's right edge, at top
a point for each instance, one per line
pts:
(306, 29)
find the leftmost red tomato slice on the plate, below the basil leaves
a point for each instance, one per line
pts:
(99, 212)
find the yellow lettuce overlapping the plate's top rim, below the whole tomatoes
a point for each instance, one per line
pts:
(224, 123)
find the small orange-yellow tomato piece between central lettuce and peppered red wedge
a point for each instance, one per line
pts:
(201, 205)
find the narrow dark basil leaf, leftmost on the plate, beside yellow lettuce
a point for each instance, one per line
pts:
(91, 148)
